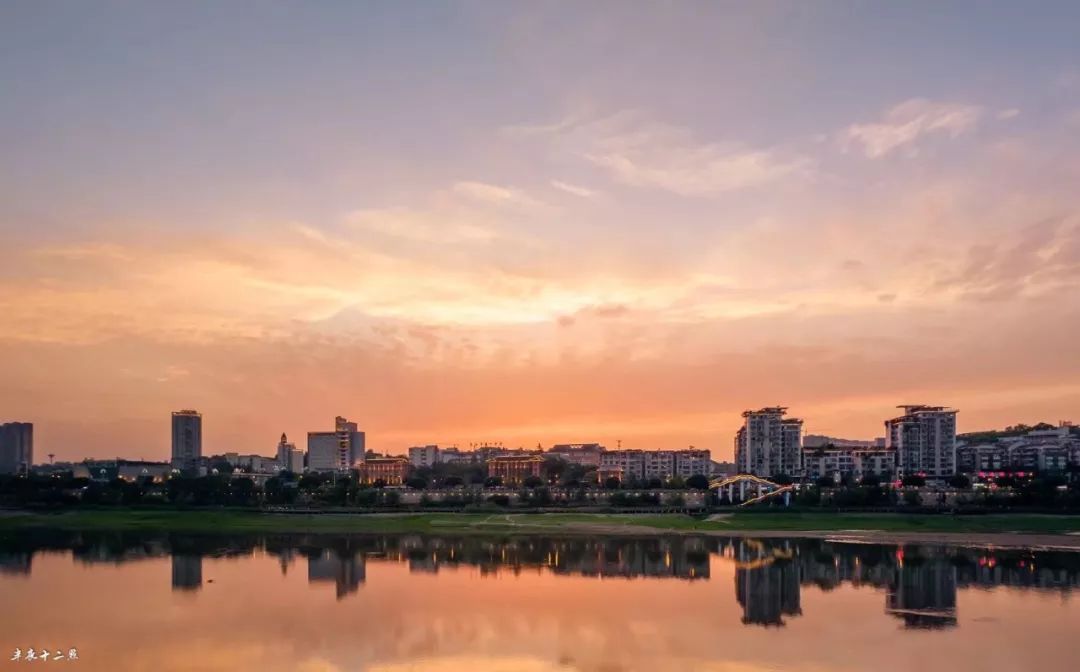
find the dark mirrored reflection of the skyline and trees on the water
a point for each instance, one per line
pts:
(920, 583)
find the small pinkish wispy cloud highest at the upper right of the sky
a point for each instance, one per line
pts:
(906, 124)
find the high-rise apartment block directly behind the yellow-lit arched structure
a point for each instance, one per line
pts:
(768, 445)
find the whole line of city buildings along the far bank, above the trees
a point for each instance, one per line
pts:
(920, 441)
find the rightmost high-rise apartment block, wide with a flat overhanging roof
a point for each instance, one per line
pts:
(925, 441)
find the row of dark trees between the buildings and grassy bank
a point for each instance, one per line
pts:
(289, 490)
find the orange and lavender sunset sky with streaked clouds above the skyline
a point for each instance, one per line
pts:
(534, 222)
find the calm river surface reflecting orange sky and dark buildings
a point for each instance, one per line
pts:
(396, 603)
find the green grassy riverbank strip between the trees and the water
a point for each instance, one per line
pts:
(537, 523)
